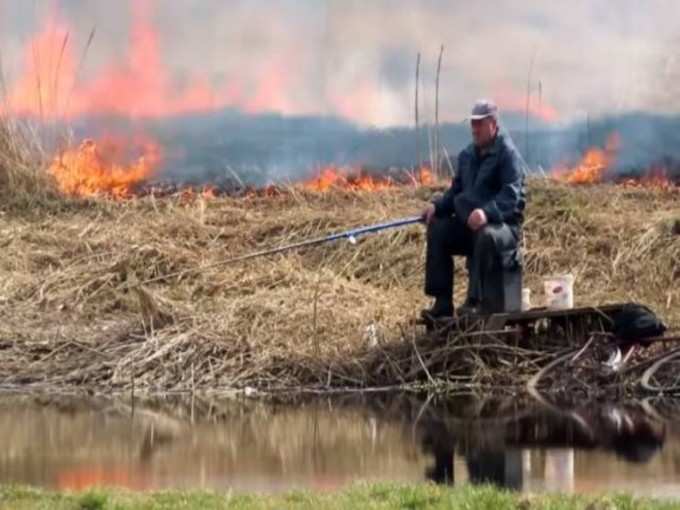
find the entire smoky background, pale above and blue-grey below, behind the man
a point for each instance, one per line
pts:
(271, 90)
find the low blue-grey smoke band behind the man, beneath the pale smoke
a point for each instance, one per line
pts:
(262, 149)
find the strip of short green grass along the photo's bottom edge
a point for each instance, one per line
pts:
(376, 497)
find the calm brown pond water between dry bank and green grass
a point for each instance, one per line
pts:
(245, 445)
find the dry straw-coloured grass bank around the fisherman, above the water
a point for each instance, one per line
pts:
(107, 295)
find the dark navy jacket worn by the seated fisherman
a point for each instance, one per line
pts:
(492, 181)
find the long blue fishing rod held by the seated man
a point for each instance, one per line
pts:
(350, 235)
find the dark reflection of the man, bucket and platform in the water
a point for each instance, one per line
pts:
(539, 445)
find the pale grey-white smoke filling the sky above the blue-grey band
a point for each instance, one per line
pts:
(357, 59)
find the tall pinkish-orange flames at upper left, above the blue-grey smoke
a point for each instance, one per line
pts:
(53, 85)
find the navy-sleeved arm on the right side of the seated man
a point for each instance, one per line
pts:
(506, 204)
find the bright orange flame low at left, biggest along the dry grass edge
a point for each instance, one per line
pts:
(92, 170)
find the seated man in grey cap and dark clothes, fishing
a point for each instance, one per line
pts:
(479, 216)
